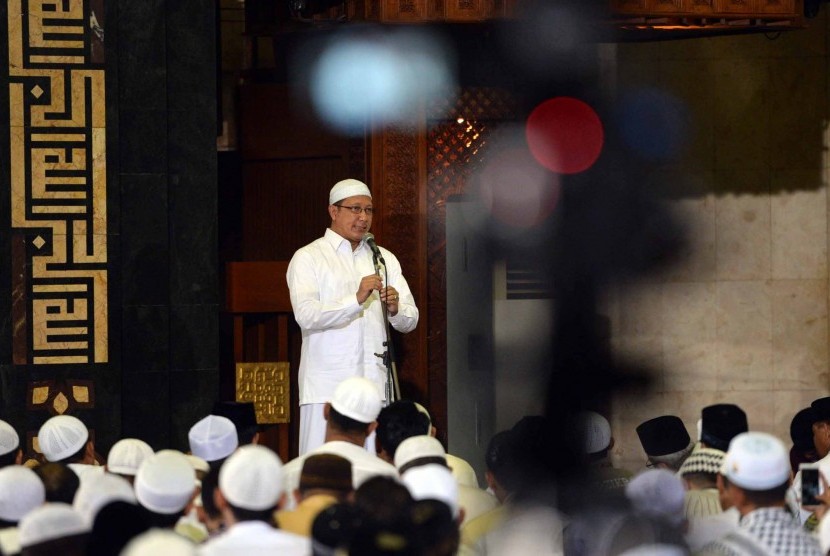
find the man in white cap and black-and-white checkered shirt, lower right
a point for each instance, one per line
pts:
(754, 479)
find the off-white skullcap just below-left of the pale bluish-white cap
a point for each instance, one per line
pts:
(164, 482)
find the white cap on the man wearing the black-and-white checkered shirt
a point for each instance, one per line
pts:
(756, 461)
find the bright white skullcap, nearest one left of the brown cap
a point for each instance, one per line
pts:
(251, 479)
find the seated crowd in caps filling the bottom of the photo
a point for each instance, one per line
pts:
(731, 491)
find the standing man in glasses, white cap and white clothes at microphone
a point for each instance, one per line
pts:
(338, 293)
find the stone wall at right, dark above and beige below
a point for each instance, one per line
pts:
(742, 317)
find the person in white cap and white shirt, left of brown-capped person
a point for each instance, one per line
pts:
(250, 490)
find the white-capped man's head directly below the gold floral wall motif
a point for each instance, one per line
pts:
(65, 439)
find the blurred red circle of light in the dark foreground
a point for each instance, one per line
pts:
(565, 135)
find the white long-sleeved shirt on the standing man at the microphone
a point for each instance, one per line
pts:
(340, 336)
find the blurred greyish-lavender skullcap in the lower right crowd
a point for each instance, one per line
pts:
(659, 494)
